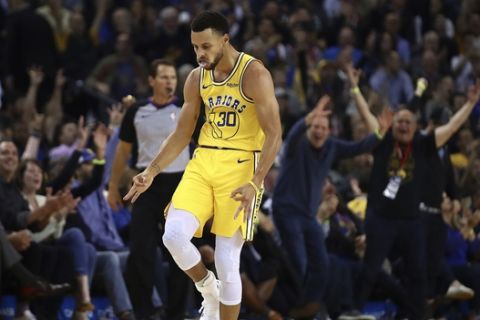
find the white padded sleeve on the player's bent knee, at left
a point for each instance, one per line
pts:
(179, 230)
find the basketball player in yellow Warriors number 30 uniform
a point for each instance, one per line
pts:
(237, 146)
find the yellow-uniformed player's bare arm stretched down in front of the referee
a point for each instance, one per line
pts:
(176, 141)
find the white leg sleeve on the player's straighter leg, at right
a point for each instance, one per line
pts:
(227, 263)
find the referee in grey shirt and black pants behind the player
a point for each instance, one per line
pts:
(143, 130)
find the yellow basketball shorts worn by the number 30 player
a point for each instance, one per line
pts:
(206, 186)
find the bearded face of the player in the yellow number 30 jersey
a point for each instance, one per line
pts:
(208, 46)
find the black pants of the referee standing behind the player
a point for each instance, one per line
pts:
(146, 230)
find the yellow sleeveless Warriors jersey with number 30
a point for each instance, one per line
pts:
(231, 117)
